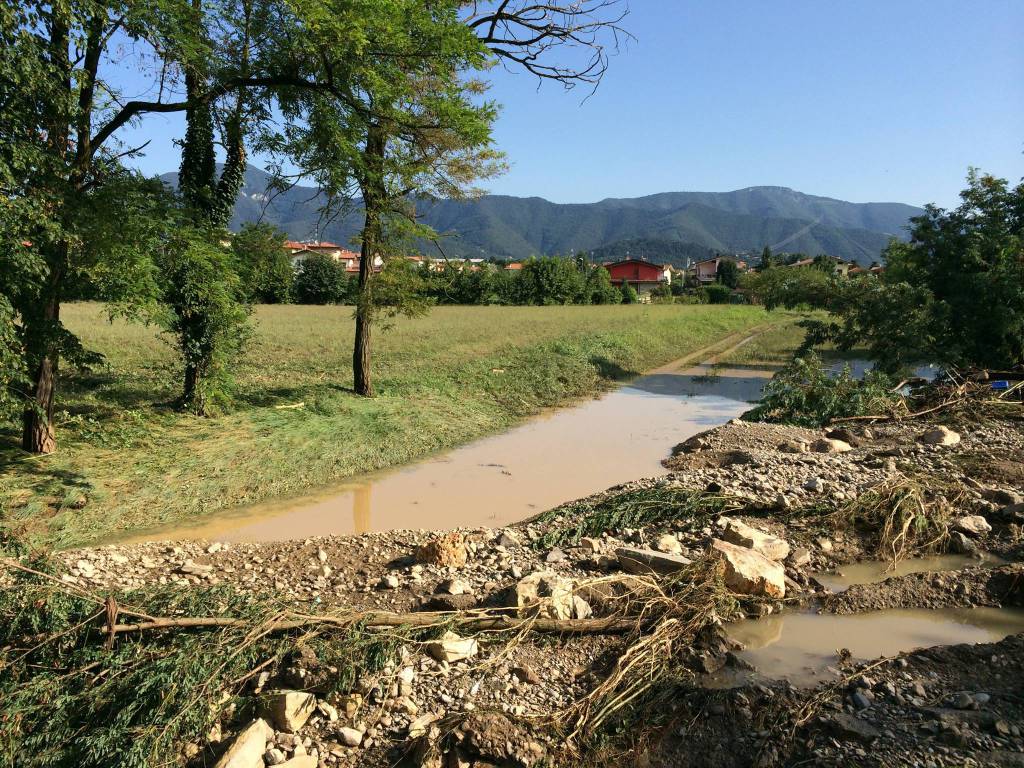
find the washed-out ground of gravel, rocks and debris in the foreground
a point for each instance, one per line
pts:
(532, 695)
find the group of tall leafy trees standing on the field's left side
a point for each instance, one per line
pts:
(383, 101)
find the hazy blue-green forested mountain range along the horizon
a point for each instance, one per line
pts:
(680, 226)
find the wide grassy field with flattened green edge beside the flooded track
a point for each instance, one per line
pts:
(127, 461)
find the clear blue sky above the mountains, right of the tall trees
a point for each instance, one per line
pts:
(864, 101)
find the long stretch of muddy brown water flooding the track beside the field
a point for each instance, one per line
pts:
(556, 458)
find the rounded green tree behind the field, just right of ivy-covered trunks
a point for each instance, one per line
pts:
(264, 265)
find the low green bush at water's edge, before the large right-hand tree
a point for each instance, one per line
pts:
(805, 395)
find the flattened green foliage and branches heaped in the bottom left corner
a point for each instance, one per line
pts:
(71, 702)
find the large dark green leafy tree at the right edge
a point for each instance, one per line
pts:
(954, 295)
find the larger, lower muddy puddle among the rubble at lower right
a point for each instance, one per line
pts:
(801, 648)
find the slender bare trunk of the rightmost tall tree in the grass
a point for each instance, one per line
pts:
(373, 200)
